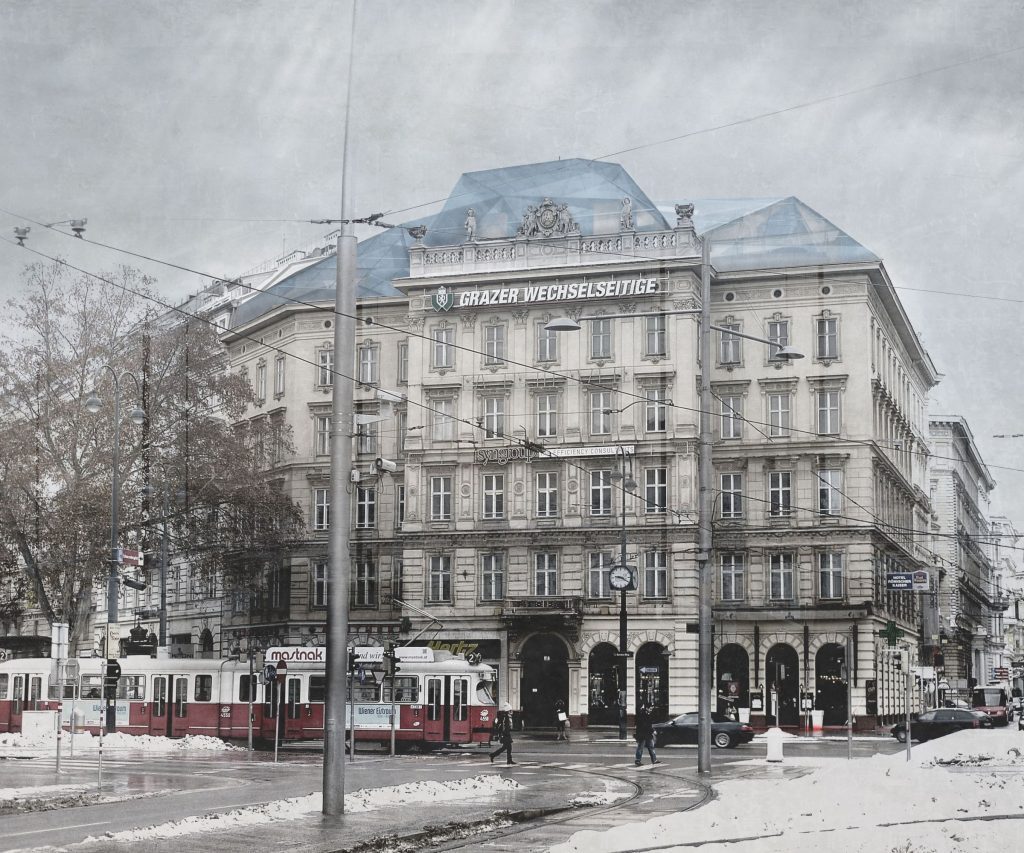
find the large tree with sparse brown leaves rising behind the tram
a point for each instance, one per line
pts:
(57, 459)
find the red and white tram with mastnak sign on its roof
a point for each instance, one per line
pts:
(440, 698)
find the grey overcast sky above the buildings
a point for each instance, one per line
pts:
(208, 133)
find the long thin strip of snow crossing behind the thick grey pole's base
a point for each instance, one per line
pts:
(366, 800)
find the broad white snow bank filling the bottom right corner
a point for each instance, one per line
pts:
(844, 805)
